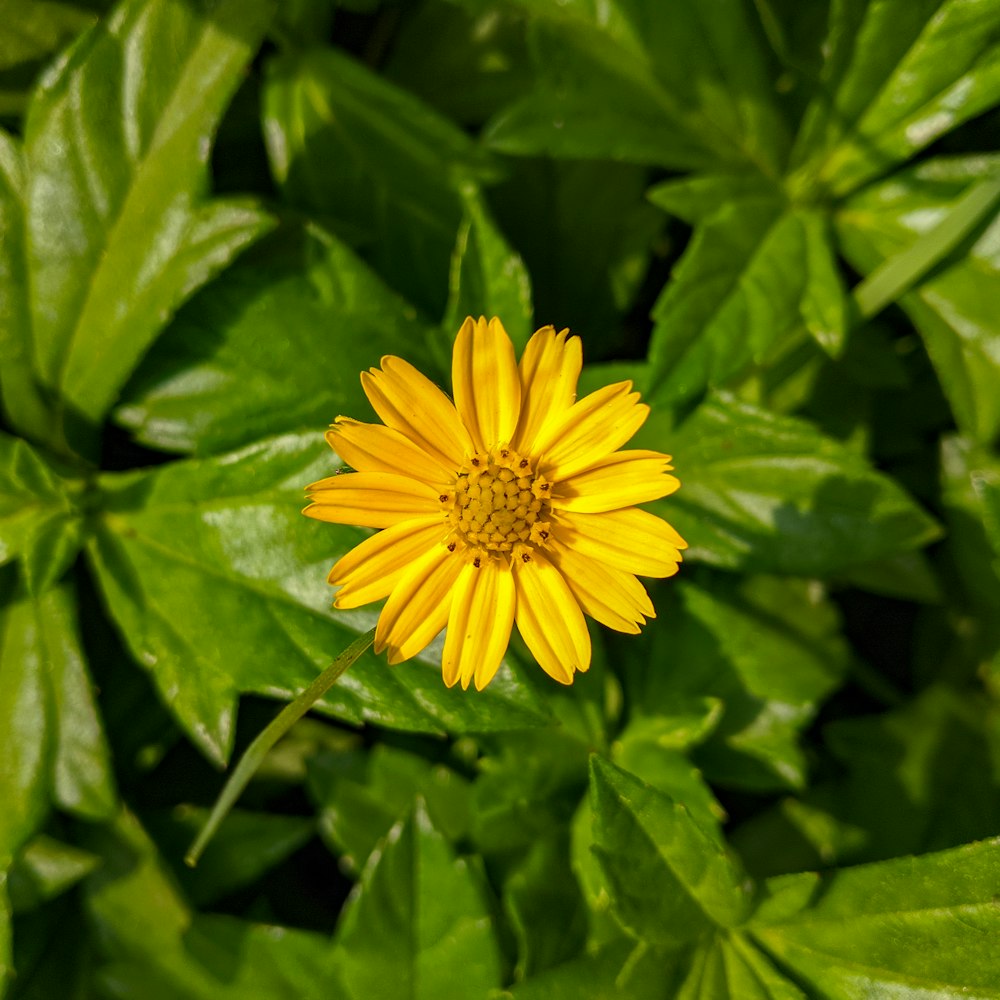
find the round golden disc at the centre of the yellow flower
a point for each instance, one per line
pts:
(499, 502)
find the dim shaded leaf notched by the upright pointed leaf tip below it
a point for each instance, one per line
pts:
(362, 795)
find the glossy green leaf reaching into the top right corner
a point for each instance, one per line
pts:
(898, 75)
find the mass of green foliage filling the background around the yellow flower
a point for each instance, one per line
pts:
(778, 220)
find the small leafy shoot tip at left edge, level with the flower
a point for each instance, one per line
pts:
(40, 516)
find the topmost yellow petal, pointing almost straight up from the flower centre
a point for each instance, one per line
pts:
(485, 381)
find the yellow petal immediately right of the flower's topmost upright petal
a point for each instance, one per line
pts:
(549, 369)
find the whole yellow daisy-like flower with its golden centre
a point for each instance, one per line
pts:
(512, 504)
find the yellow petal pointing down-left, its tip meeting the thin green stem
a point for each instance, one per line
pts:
(418, 606)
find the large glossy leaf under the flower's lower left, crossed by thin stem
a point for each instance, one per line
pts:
(217, 584)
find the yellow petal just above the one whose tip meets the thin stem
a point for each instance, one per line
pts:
(372, 568)
